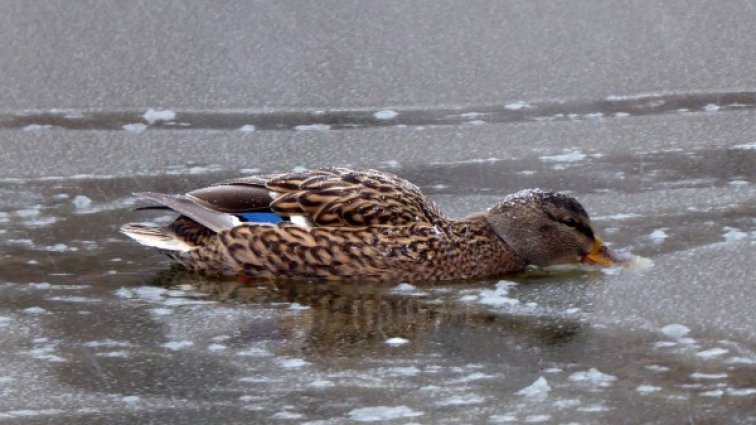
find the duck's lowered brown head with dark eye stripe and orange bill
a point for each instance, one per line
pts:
(547, 228)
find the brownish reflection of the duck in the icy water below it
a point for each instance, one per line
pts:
(347, 318)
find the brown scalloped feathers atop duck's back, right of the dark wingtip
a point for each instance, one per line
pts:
(339, 197)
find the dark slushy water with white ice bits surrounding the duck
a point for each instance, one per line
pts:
(96, 329)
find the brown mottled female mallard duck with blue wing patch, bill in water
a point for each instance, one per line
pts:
(342, 224)
